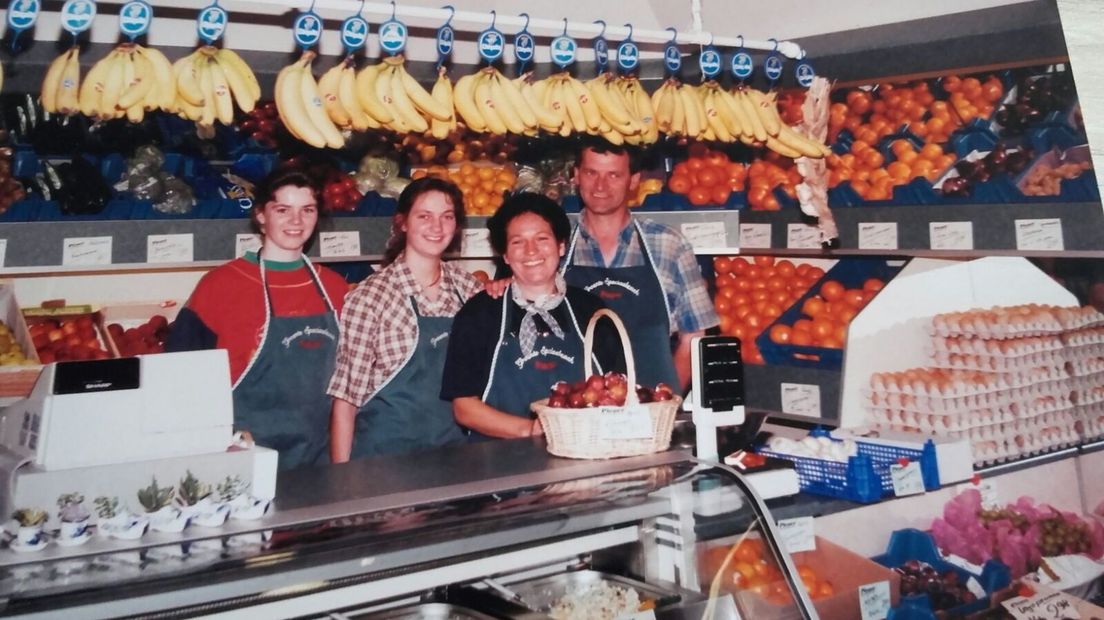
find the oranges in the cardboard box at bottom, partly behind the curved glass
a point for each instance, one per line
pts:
(751, 570)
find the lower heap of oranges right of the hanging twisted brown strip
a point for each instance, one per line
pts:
(873, 179)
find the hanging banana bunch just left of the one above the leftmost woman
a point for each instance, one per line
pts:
(209, 82)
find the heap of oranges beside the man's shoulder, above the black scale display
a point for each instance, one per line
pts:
(751, 295)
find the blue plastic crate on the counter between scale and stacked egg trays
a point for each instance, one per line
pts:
(865, 478)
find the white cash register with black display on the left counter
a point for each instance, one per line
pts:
(107, 427)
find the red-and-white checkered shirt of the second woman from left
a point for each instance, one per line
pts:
(379, 329)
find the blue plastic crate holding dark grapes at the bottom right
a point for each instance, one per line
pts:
(914, 544)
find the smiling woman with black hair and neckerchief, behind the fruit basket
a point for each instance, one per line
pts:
(506, 354)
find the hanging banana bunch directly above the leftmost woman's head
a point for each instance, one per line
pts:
(300, 104)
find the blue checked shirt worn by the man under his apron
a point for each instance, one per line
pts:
(680, 274)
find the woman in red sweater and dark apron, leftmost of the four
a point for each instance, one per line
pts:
(277, 315)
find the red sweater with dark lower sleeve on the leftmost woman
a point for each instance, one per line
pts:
(227, 311)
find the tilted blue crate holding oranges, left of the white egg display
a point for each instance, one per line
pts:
(850, 273)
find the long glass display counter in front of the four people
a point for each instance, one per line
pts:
(498, 530)
